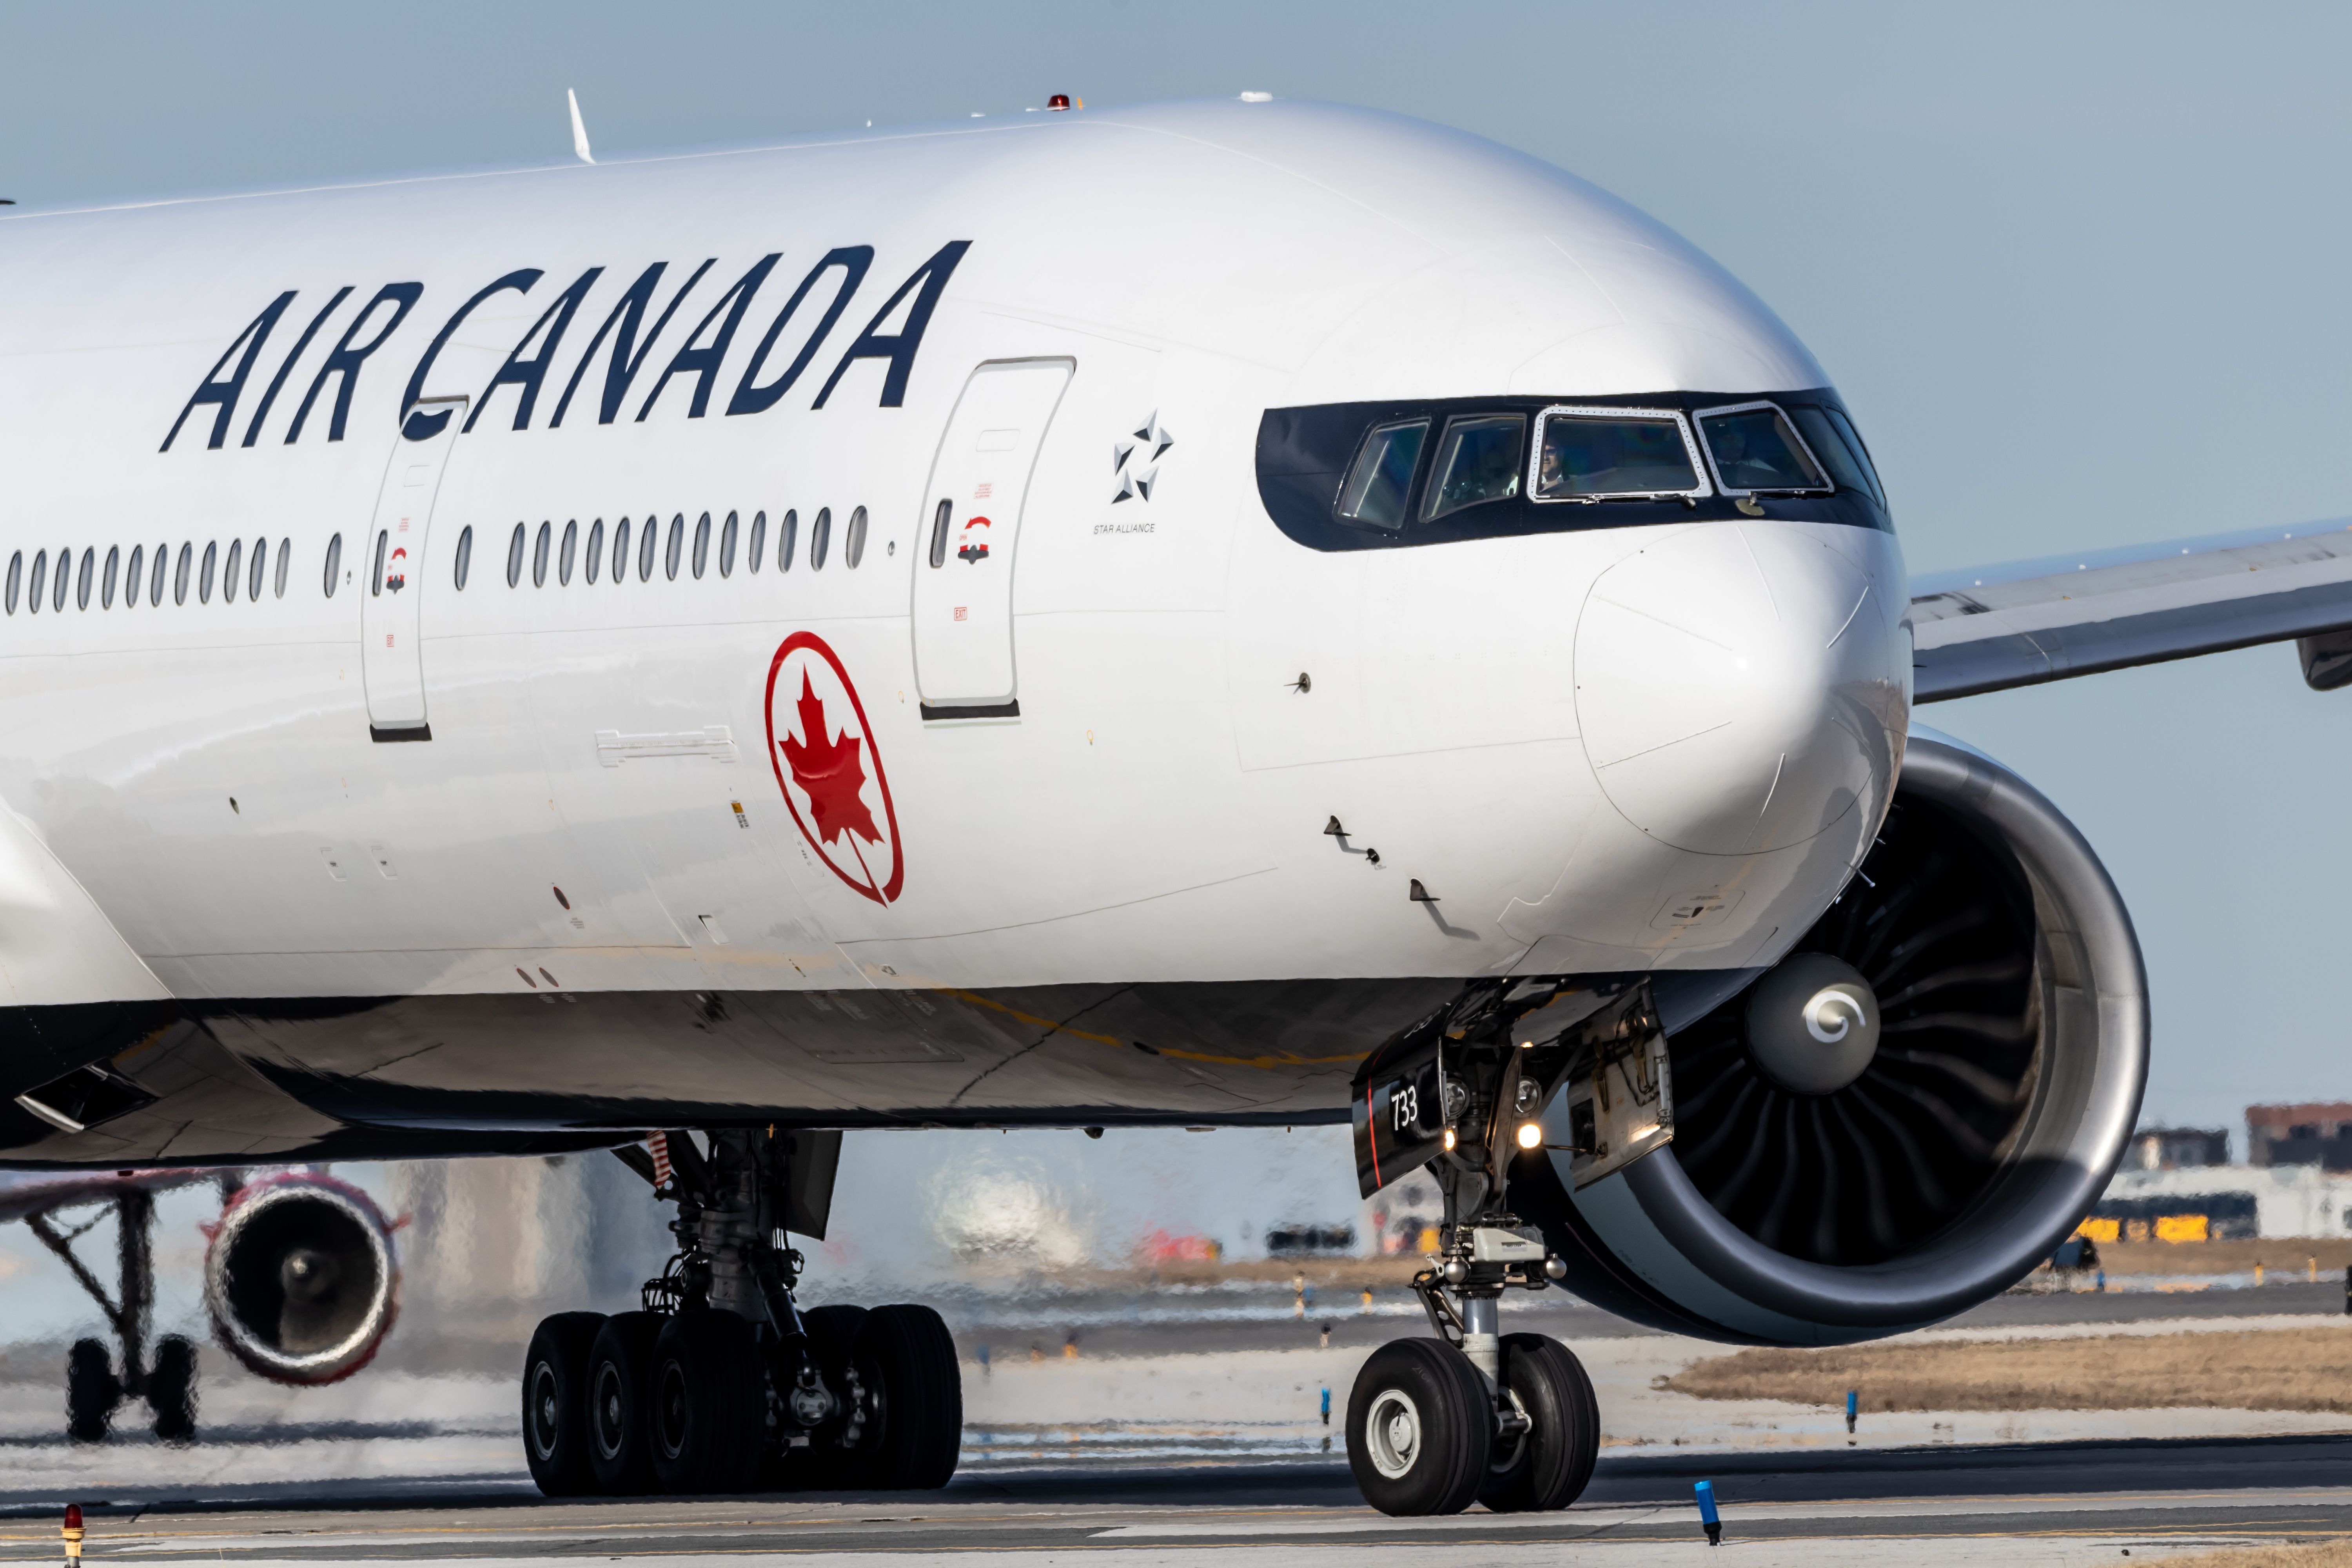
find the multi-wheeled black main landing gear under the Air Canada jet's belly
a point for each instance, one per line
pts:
(721, 1383)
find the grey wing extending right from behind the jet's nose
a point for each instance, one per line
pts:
(2080, 615)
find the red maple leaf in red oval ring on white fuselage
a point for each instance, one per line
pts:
(831, 772)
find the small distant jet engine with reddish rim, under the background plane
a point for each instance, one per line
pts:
(302, 1278)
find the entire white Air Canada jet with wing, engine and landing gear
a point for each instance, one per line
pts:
(1441, 662)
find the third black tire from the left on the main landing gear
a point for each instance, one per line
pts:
(709, 1405)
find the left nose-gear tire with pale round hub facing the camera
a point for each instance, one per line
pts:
(1419, 1428)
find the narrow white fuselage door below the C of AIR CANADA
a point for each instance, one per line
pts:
(392, 579)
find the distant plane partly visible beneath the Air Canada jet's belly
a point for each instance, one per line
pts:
(302, 1285)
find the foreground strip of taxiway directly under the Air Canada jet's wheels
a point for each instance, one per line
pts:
(2059, 1503)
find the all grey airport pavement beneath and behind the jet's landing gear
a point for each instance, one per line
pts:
(1177, 1435)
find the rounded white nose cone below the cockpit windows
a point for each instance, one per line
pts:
(1742, 688)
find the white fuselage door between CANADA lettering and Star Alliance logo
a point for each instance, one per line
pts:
(970, 528)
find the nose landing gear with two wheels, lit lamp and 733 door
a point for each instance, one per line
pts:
(1481, 1416)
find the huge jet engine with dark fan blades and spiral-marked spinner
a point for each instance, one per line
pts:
(2000, 1090)
